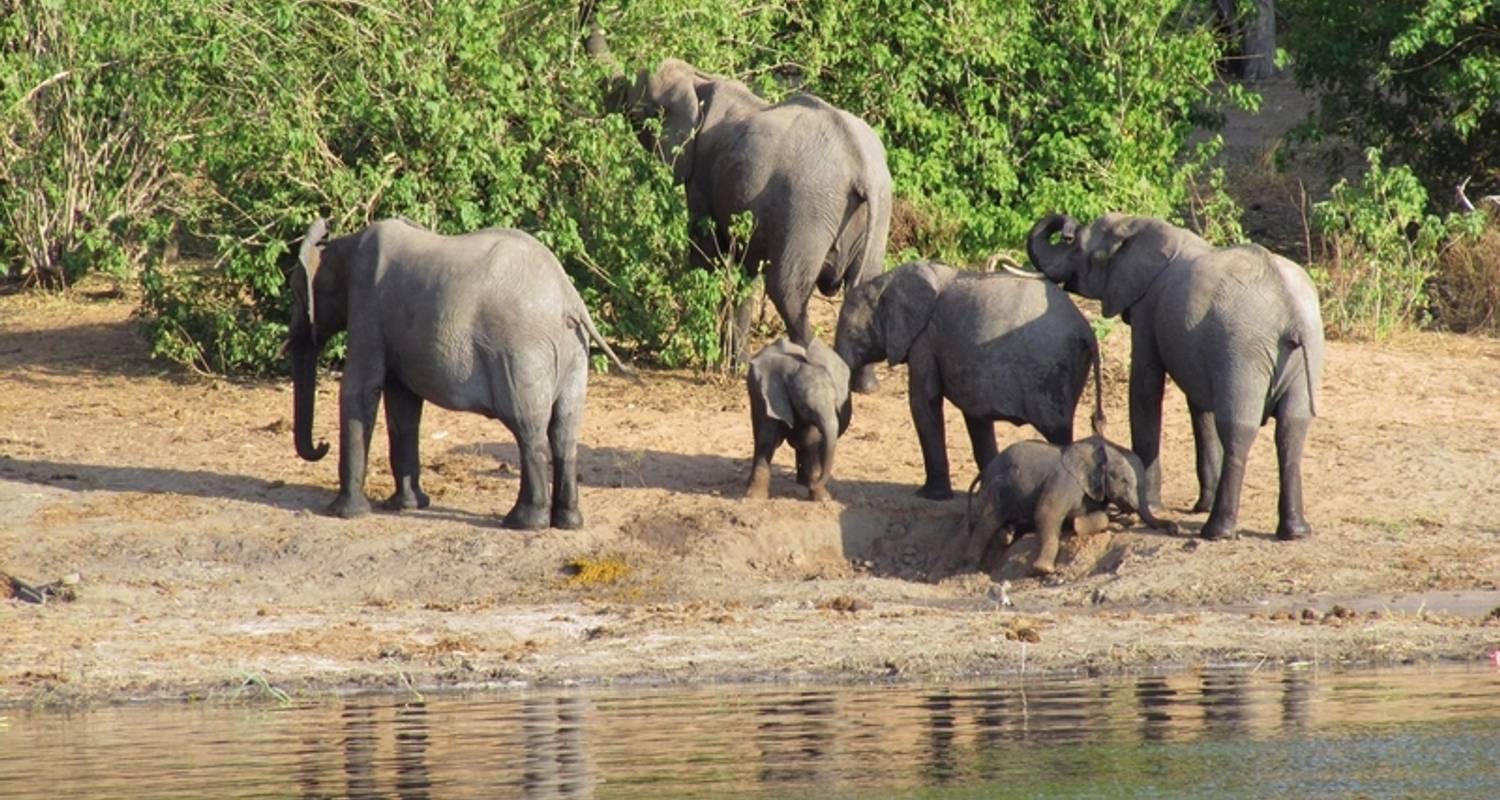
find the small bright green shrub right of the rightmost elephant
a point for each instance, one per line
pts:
(1381, 250)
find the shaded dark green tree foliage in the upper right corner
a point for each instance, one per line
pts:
(1418, 80)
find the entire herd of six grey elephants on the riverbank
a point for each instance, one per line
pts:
(488, 322)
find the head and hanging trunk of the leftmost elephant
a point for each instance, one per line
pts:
(319, 313)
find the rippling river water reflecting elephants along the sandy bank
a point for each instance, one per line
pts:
(1220, 733)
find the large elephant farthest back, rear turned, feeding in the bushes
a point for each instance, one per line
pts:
(812, 175)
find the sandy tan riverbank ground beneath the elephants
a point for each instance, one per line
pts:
(206, 564)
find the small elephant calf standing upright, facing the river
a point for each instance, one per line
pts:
(799, 395)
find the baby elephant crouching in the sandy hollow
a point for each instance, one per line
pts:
(1037, 487)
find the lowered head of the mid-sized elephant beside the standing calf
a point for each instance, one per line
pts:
(884, 316)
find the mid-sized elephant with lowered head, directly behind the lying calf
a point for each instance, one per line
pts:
(998, 346)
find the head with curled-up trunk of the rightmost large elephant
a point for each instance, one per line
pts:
(1114, 260)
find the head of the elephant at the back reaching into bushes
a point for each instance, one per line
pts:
(670, 95)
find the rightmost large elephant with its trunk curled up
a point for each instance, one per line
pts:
(1238, 329)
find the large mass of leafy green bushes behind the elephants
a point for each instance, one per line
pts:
(256, 118)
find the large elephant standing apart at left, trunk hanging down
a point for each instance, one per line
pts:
(485, 322)
